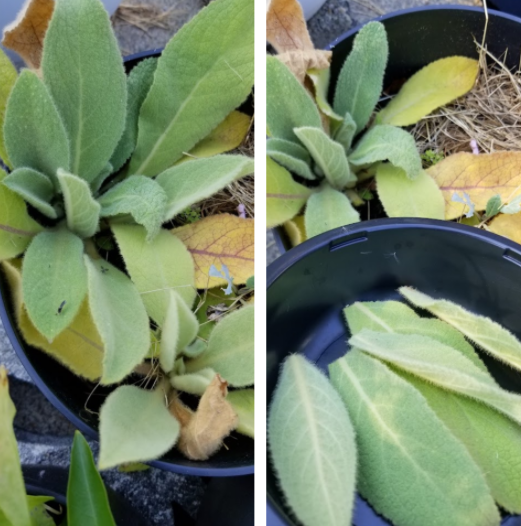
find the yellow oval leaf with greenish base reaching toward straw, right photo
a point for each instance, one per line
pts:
(437, 84)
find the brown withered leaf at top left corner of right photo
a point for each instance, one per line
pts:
(286, 28)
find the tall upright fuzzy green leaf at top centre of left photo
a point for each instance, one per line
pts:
(83, 69)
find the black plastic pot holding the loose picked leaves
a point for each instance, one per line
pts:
(310, 285)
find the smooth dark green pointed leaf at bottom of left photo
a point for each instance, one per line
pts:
(87, 500)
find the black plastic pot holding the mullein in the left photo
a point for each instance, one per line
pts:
(69, 393)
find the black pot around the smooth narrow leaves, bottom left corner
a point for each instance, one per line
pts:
(51, 481)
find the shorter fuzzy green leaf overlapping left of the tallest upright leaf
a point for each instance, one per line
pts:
(35, 136)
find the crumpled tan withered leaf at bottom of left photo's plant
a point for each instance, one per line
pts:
(203, 431)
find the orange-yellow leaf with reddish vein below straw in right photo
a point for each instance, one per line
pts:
(480, 176)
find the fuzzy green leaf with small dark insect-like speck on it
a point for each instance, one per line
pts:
(54, 281)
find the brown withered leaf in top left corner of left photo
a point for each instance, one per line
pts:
(25, 35)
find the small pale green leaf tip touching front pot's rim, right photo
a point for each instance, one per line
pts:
(328, 209)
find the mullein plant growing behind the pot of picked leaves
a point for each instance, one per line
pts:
(330, 156)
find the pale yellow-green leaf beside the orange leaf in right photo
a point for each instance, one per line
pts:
(405, 197)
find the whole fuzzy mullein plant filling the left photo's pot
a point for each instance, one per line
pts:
(96, 158)
